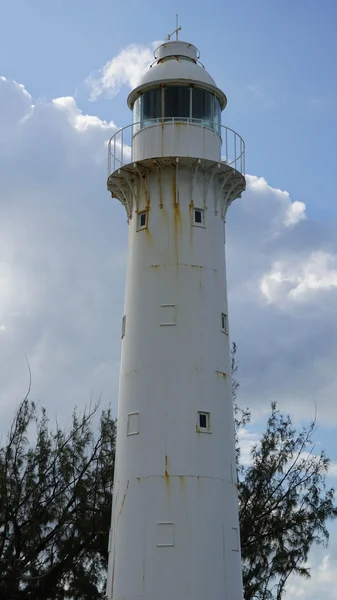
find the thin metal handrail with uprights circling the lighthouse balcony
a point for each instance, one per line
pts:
(120, 152)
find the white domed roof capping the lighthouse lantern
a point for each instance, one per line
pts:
(176, 62)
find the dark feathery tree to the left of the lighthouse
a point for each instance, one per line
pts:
(55, 498)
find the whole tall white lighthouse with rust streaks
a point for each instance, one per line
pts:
(176, 169)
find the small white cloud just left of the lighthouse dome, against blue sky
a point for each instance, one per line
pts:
(125, 69)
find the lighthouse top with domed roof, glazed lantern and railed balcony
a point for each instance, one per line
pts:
(176, 109)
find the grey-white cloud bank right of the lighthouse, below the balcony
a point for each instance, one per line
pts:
(282, 301)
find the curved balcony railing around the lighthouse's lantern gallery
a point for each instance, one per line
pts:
(121, 149)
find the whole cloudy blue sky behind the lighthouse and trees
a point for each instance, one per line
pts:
(65, 71)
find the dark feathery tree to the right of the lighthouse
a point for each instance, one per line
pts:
(283, 501)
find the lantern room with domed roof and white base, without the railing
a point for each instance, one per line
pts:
(175, 91)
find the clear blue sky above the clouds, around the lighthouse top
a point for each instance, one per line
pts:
(275, 60)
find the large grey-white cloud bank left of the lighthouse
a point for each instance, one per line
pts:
(62, 255)
